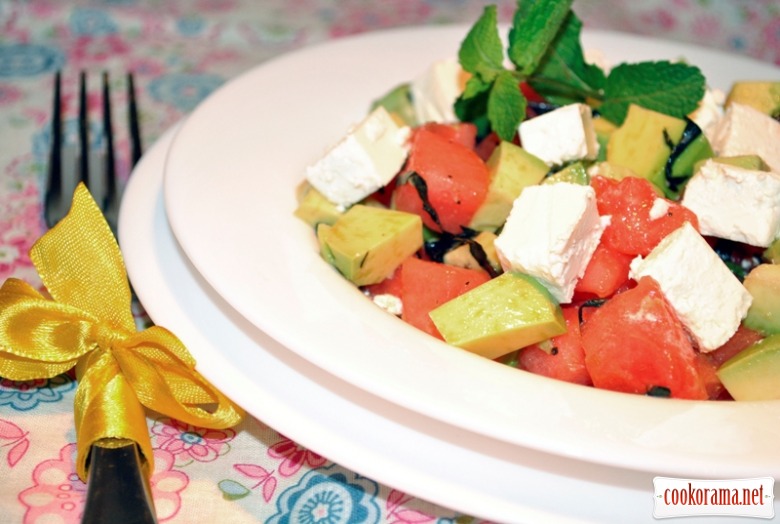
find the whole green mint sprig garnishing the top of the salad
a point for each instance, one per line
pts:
(545, 51)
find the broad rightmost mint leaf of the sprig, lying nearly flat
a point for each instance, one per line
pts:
(674, 89)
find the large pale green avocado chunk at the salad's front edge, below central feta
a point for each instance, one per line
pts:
(508, 312)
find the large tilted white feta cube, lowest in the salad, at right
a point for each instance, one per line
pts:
(707, 297)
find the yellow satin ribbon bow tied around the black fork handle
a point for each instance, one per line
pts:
(89, 324)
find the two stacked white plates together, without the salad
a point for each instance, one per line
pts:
(216, 255)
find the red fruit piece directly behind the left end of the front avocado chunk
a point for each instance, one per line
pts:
(427, 285)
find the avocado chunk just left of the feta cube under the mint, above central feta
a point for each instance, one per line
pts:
(511, 169)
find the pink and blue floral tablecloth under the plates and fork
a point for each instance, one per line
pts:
(181, 50)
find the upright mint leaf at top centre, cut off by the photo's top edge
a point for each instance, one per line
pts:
(534, 27)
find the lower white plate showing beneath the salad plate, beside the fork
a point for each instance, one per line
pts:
(400, 448)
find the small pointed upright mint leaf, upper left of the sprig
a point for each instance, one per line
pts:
(481, 52)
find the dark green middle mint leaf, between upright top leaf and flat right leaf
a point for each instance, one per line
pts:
(564, 77)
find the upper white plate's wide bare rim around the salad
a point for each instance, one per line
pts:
(229, 193)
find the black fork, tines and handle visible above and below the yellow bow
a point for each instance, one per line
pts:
(118, 489)
